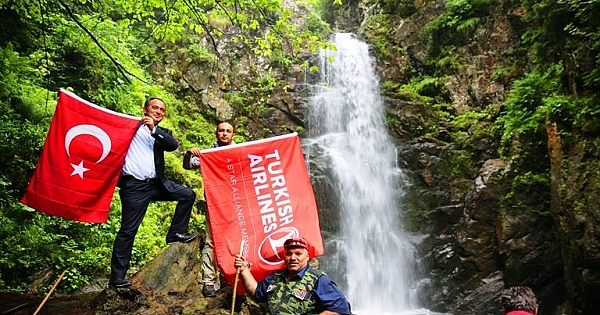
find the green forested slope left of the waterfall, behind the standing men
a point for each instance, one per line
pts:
(105, 51)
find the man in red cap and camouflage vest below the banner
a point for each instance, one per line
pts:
(298, 288)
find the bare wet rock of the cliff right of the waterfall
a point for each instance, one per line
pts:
(482, 235)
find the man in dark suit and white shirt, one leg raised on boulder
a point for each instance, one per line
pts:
(143, 180)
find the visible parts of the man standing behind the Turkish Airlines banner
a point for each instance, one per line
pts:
(191, 160)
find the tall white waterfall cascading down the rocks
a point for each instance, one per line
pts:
(347, 129)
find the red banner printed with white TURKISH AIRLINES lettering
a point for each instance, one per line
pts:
(259, 192)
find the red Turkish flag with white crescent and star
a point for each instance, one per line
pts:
(82, 158)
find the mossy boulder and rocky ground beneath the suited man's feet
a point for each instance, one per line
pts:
(168, 285)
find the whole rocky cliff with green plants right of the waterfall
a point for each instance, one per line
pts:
(506, 180)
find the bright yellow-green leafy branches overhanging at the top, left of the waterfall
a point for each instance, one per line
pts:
(261, 26)
